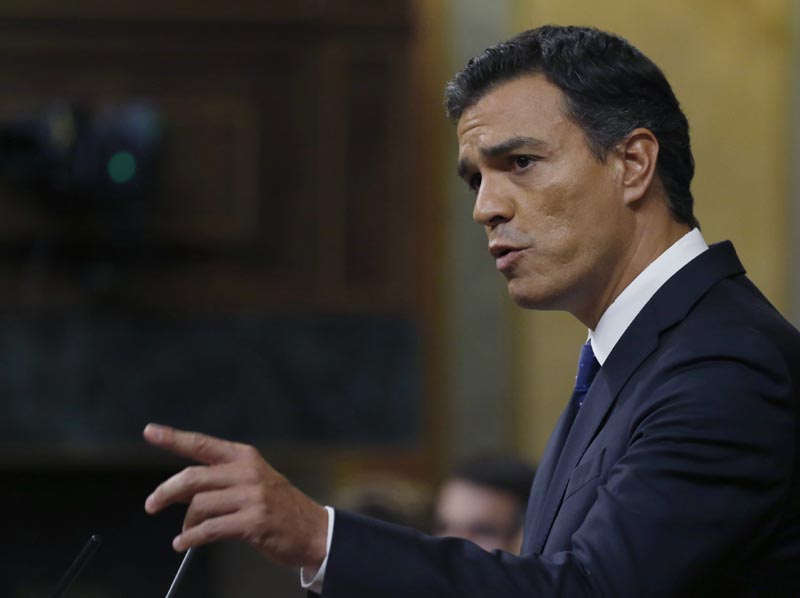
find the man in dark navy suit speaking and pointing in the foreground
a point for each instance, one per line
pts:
(674, 469)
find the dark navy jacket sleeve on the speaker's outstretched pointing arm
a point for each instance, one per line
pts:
(701, 483)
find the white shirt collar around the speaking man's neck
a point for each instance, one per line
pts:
(619, 315)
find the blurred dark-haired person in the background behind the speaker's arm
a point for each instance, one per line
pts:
(483, 500)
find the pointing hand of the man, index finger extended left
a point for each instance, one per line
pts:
(235, 494)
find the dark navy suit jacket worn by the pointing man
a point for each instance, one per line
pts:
(678, 477)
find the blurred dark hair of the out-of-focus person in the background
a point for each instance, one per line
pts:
(499, 472)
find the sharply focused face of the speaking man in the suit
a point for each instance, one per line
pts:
(554, 214)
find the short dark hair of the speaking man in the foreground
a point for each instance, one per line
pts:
(610, 87)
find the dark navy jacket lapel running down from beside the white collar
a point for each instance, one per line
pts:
(668, 306)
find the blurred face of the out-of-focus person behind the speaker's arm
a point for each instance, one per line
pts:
(490, 518)
